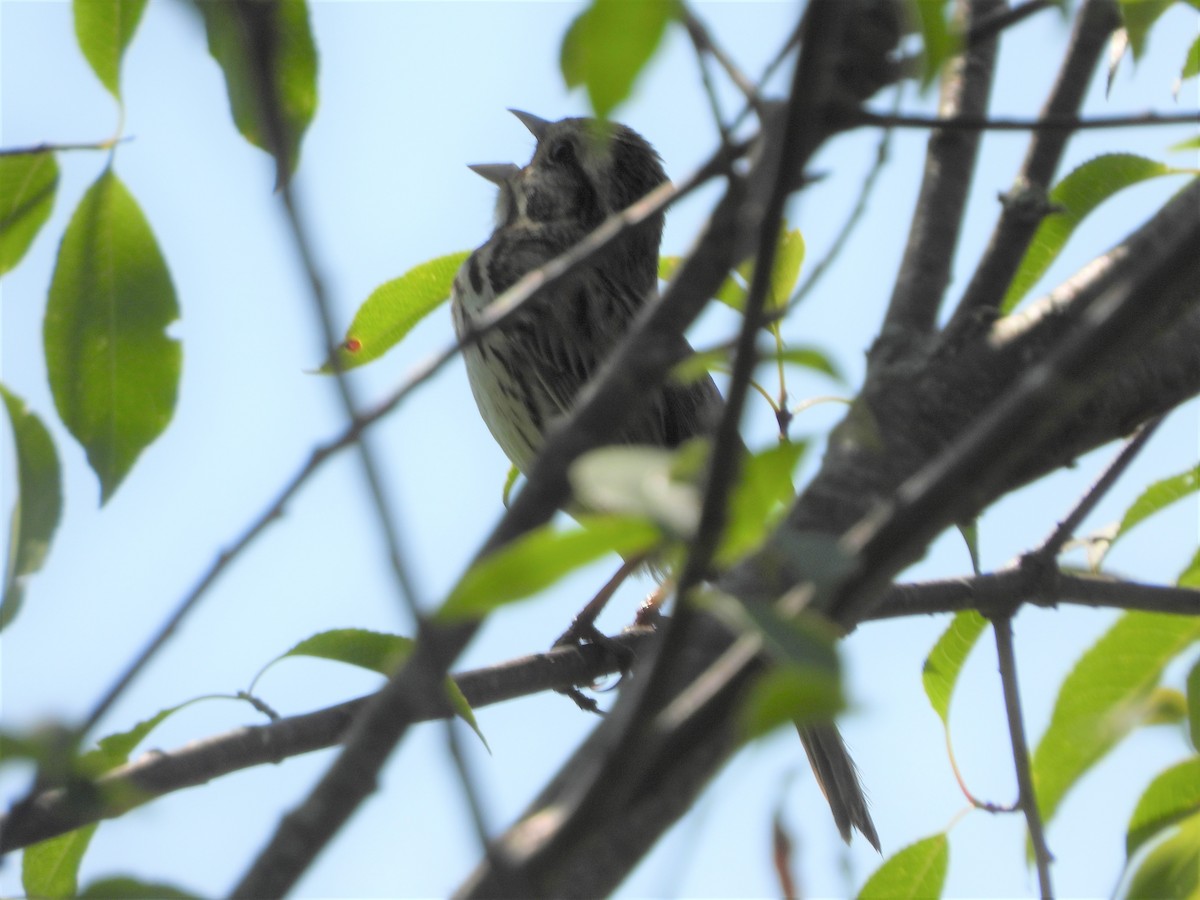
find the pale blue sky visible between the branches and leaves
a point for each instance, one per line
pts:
(410, 94)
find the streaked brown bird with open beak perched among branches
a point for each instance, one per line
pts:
(527, 374)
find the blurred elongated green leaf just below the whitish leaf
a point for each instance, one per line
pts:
(538, 560)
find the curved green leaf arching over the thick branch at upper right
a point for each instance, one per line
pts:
(1077, 196)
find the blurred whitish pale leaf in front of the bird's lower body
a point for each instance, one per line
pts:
(647, 483)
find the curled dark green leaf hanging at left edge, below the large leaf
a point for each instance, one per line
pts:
(38, 507)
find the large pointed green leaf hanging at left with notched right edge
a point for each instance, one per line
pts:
(113, 370)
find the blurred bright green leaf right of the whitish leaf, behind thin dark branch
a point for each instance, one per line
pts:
(759, 500)
